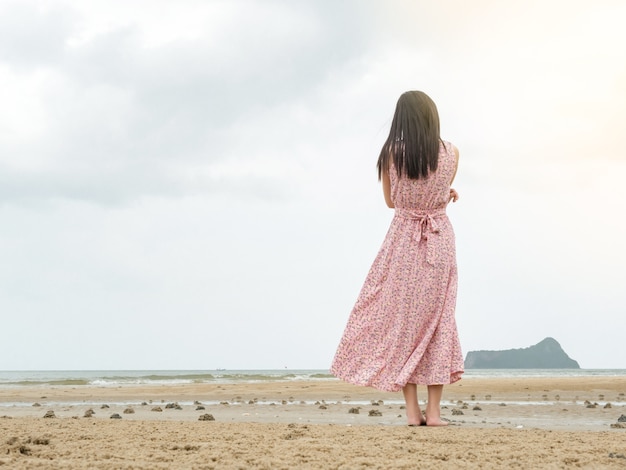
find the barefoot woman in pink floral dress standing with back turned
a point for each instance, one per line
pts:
(402, 332)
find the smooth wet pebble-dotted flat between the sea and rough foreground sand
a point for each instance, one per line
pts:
(592, 403)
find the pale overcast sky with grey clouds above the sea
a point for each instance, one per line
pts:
(192, 184)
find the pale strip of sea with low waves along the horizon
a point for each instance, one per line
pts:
(117, 378)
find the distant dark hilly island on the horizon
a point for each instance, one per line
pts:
(546, 354)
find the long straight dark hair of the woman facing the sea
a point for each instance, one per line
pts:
(413, 141)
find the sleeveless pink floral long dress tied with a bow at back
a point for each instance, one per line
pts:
(402, 328)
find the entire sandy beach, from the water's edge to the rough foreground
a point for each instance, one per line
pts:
(494, 423)
